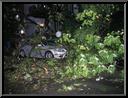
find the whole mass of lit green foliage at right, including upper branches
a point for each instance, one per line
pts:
(92, 52)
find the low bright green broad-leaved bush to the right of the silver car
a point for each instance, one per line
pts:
(90, 61)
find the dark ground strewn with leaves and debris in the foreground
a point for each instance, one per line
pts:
(41, 80)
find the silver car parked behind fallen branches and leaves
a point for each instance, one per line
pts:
(44, 50)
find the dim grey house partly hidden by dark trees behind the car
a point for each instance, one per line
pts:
(36, 24)
